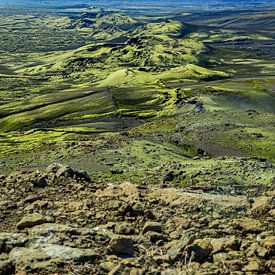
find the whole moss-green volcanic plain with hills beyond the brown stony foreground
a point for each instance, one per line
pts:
(192, 99)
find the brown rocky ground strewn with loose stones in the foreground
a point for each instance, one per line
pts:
(64, 222)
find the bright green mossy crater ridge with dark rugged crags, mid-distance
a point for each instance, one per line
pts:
(146, 50)
